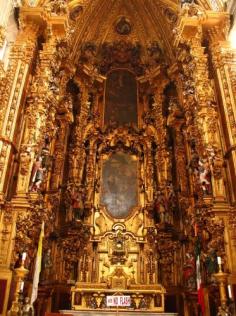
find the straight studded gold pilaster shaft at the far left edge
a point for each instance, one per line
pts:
(16, 78)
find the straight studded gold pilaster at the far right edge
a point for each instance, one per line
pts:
(223, 61)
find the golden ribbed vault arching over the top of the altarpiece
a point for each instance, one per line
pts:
(150, 20)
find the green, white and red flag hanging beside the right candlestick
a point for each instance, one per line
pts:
(200, 292)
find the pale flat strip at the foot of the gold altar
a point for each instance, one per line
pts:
(113, 313)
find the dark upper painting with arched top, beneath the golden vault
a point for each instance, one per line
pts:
(121, 98)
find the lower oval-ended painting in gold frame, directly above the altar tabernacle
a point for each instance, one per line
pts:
(119, 184)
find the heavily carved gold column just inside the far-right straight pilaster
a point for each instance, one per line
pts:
(208, 123)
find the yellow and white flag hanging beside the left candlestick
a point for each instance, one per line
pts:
(37, 268)
